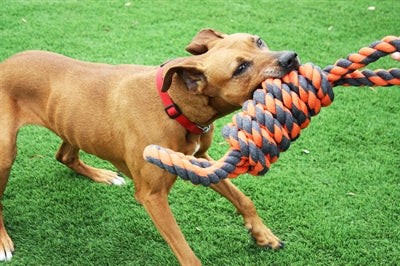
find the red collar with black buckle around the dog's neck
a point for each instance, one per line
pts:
(173, 110)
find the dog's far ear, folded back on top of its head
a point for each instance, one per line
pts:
(204, 41)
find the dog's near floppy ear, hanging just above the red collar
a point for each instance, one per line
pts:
(190, 73)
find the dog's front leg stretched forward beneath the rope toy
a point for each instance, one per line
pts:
(261, 234)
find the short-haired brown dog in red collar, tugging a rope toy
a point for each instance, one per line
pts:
(114, 112)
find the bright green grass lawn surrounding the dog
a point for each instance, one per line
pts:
(337, 205)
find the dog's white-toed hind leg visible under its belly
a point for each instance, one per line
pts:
(69, 155)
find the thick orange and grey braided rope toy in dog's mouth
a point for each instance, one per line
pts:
(274, 117)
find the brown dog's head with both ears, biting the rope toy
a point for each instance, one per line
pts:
(228, 67)
